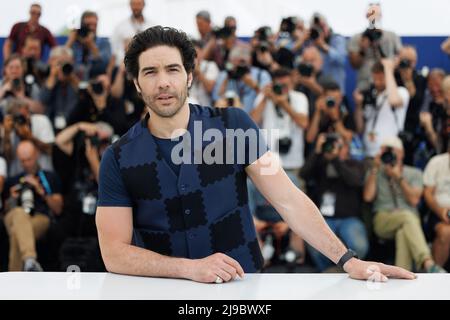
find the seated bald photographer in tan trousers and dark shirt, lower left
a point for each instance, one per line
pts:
(33, 196)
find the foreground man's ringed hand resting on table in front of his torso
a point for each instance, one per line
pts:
(217, 265)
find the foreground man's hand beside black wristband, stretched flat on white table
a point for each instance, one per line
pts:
(375, 271)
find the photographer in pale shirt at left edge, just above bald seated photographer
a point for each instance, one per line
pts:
(19, 125)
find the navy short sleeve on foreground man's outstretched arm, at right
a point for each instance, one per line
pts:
(255, 142)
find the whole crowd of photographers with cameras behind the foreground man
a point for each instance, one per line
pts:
(377, 162)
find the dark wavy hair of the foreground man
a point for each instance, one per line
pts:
(157, 36)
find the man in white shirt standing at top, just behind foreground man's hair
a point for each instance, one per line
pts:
(127, 28)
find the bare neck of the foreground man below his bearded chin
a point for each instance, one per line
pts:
(165, 127)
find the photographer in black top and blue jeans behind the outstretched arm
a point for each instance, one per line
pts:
(339, 182)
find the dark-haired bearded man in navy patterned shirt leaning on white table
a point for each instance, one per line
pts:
(153, 208)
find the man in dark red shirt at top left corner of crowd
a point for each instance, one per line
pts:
(21, 30)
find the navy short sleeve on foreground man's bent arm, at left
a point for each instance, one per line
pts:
(111, 189)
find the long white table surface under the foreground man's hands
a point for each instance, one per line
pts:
(49, 285)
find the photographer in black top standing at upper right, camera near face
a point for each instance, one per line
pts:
(407, 76)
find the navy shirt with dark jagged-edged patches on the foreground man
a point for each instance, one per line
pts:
(199, 211)
